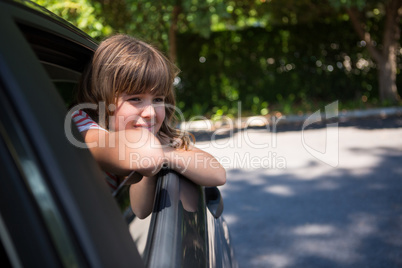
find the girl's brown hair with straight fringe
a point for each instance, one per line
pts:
(123, 64)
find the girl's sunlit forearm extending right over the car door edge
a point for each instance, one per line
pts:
(196, 165)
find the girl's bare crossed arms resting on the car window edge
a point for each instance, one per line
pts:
(139, 150)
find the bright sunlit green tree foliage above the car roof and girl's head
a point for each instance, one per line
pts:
(157, 22)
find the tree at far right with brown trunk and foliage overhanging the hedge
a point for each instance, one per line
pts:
(377, 23)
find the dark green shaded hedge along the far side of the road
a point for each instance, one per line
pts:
(268, 70)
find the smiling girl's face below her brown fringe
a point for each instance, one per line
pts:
(139, 111)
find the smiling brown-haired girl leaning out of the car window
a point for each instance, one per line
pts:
(134, 82)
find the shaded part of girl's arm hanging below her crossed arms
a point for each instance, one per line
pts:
(142, 196)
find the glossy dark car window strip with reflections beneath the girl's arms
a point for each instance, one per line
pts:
(179, 224)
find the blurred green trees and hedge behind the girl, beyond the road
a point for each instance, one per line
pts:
(290, 56)
